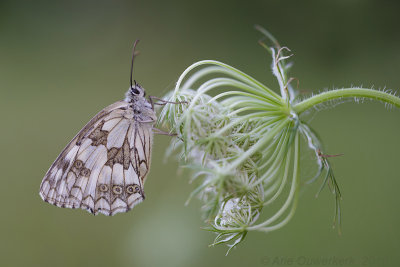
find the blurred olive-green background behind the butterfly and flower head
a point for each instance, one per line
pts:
(63, 61)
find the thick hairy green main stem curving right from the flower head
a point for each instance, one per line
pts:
(345, 93)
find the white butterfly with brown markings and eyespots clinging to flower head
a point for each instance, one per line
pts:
(104, 167)
